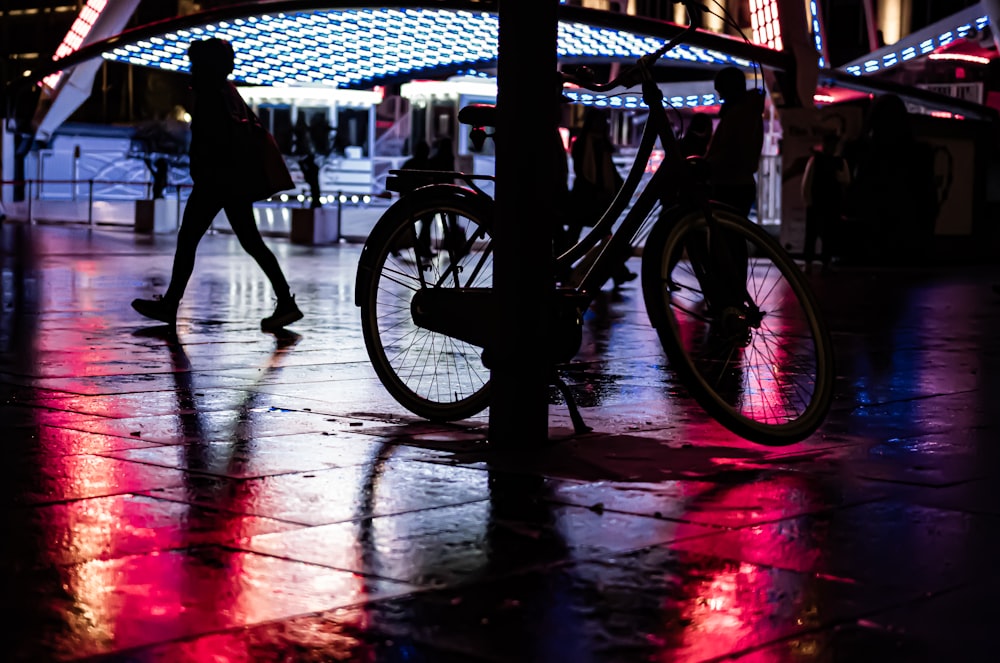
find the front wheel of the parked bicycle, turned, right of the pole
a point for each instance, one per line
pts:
(761, 363)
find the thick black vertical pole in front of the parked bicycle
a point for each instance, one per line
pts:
(522, 278)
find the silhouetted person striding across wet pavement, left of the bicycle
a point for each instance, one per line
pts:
(229, 174)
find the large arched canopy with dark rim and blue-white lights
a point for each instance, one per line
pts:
(299, 43)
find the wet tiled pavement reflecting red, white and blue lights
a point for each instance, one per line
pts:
(228, 495)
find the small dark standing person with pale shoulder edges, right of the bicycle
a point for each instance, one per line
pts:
(823, 185)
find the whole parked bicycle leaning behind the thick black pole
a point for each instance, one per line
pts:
(732, 310)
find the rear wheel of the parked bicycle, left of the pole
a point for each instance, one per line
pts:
(432, 375)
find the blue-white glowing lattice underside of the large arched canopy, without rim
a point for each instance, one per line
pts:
(359, 47)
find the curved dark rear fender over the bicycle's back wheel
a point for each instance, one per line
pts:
(425, 196)
